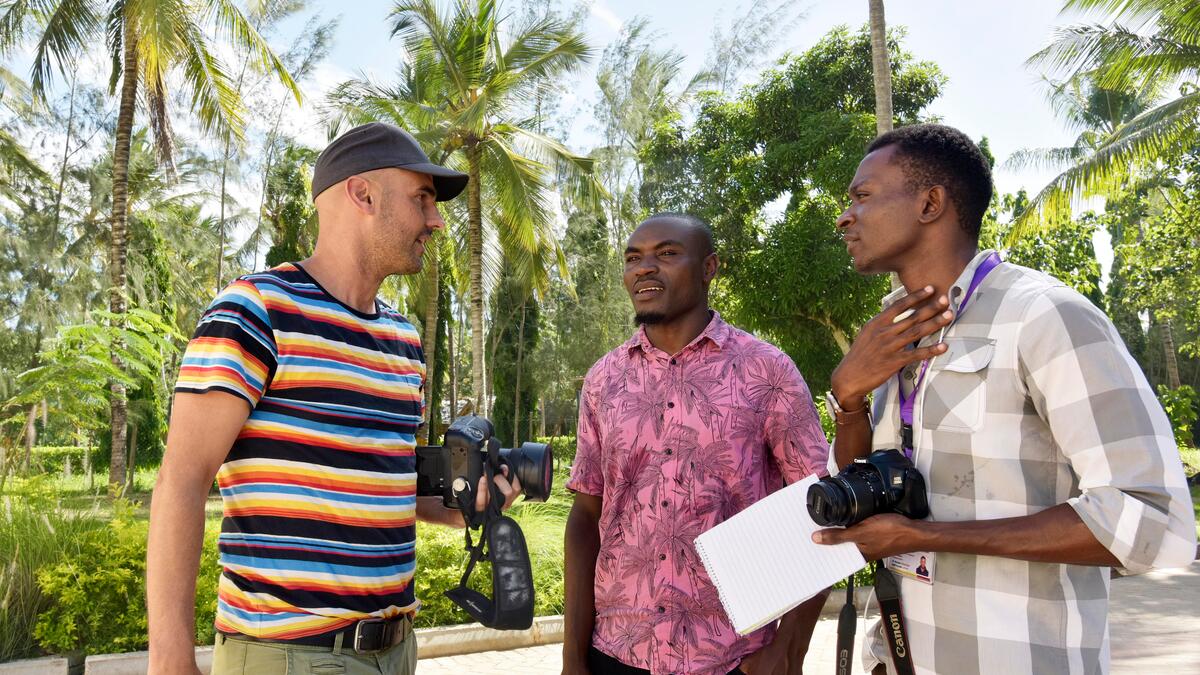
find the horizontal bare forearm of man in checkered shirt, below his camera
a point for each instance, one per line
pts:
(1057, 535)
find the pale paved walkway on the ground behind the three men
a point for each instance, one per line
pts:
(1155, 626)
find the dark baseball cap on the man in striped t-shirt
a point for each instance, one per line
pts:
(381, 146)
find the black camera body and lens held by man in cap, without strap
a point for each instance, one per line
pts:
(455, 468)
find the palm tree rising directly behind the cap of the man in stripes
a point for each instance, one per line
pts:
(463, 89)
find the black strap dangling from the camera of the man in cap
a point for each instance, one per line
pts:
(503, 545)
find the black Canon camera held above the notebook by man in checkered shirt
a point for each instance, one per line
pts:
(884, 481)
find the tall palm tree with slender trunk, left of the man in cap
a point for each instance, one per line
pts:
(147, 41)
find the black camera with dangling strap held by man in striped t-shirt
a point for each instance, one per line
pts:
(452, 471)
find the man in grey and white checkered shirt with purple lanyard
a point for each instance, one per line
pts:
(1047, 456)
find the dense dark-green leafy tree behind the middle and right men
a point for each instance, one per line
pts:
(795, 138)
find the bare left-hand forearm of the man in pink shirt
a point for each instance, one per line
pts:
(583, 548)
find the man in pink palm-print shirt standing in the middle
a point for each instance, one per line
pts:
(682, 427)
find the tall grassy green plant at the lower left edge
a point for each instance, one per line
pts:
(34, 534)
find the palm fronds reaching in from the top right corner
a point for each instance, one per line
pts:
(1148, 46)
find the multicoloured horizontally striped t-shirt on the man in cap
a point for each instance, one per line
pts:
(320, 489)
